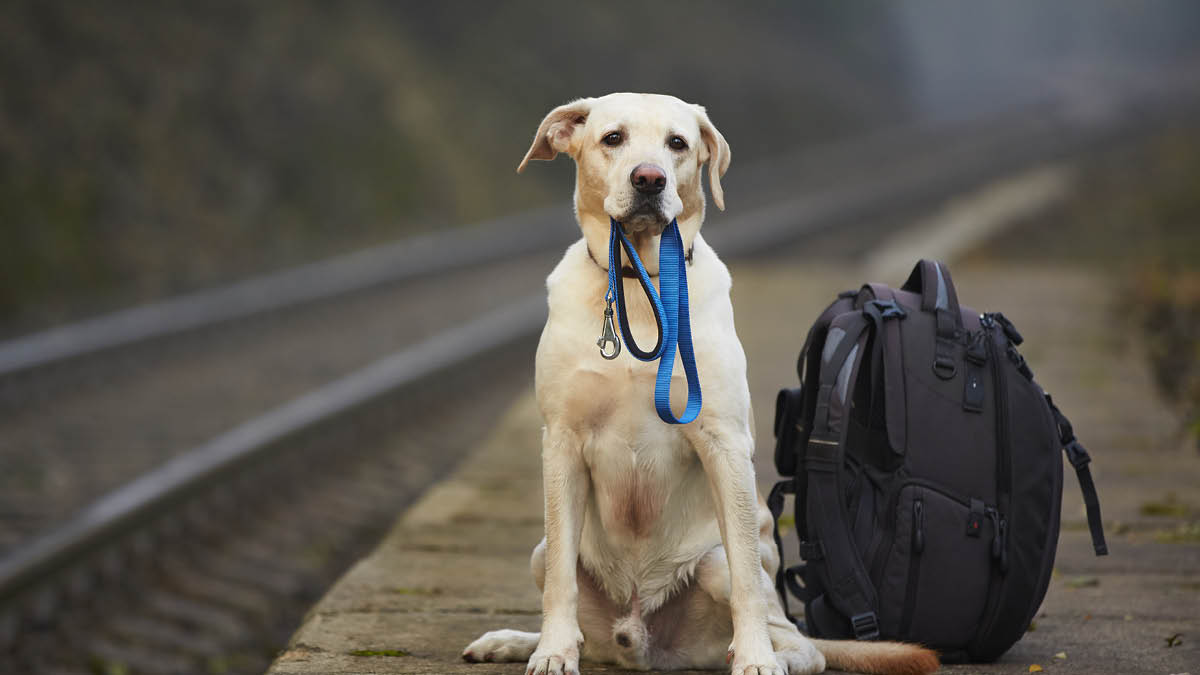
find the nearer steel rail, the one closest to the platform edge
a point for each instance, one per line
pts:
(145, 499)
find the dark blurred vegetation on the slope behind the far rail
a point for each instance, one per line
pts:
(148, 148)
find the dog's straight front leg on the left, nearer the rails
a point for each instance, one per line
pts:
(567, 486)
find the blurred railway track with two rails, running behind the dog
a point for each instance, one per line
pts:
(218, 469)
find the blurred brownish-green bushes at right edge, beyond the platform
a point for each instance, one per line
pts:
(1137, 213)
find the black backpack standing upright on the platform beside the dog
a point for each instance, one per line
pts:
(925, 462)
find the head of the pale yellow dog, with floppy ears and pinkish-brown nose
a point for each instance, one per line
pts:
(639, 157)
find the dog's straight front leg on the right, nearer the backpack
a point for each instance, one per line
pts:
(725, 452)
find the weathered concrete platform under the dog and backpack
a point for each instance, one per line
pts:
(457, 565)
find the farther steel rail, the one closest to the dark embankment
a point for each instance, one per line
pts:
(538, 230)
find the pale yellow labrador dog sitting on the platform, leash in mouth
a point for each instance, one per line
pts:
(658, 549)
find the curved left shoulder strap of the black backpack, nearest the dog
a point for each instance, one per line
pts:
(847, 580)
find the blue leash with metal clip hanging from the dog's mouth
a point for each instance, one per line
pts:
(670, 312)
